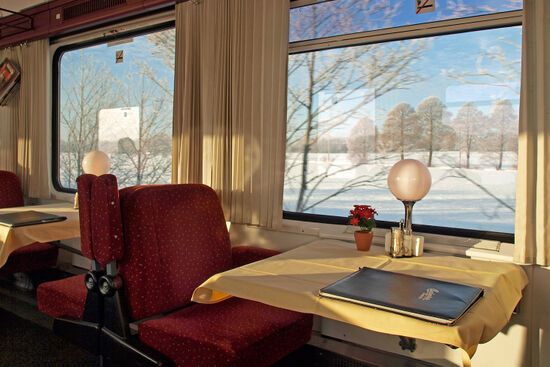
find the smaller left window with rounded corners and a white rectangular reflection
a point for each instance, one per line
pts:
(115, 95)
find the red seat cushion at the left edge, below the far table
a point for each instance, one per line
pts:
(35, 256)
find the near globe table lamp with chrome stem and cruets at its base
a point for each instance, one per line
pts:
(409, 181)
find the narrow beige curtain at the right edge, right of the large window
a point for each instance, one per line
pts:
(533, 180)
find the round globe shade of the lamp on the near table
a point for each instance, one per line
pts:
(409, 180)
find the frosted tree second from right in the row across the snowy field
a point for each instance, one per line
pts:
(469, 125)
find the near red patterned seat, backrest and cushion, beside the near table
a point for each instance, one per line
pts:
(176, 238)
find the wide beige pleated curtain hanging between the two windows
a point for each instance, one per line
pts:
(230, 103)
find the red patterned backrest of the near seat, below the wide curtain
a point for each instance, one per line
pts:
(175, 238)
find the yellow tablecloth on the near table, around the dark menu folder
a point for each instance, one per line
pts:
(292, 280)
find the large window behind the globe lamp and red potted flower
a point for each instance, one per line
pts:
(445, 93)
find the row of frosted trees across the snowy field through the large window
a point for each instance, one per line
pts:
(428, 128)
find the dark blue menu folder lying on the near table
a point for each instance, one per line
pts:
(427, 299)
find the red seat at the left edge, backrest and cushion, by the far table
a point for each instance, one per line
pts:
(34, 256)
